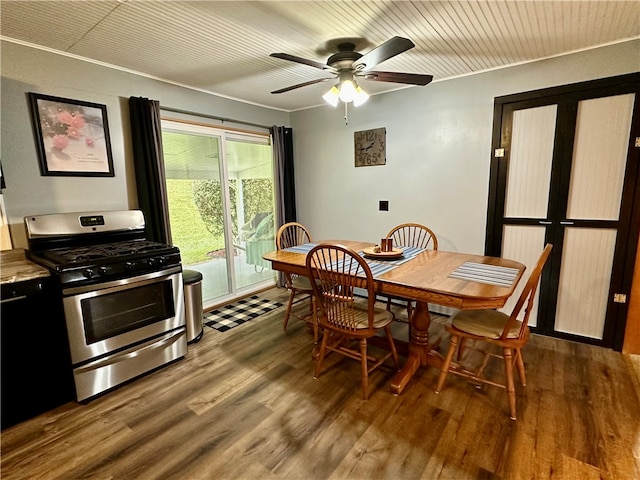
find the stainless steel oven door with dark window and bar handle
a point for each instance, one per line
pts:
(107, 317)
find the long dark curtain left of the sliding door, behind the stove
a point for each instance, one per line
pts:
(151, 182)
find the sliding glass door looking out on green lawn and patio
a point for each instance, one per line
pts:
(221, 206)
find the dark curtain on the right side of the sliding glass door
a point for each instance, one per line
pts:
(282, 139)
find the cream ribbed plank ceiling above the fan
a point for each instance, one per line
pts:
(223, 47)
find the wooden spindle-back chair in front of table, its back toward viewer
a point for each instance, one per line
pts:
(348, 320)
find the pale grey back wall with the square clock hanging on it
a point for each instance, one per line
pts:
(438, 151)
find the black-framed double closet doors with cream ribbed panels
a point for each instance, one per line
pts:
(565, 173)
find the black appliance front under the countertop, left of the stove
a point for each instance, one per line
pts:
(35, 363)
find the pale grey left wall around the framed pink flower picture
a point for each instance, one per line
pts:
(25, 70)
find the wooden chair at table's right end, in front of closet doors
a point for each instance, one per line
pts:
(495, 328)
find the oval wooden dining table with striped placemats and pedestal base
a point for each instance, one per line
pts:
(452, 279)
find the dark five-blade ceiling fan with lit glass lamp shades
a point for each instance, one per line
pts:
(348, 65)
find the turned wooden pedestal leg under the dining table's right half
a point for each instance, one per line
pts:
(420, 349)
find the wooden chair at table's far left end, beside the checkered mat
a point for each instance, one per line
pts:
(290, 235)
